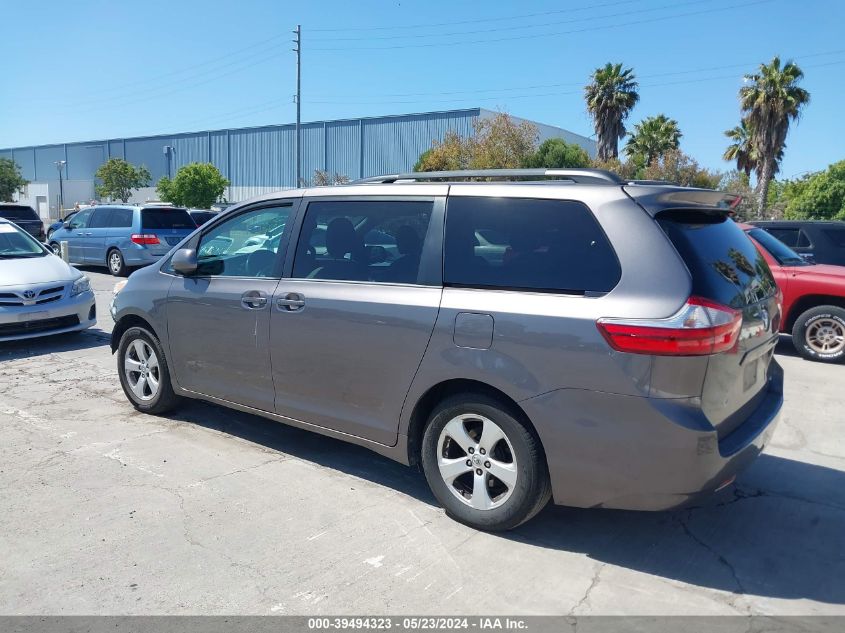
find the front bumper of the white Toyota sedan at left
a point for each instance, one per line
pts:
(68, 315)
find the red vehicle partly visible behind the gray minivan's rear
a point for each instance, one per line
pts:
(813, 299)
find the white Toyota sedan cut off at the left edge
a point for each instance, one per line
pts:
(39, 293)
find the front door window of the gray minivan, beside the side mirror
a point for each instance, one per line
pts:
(246, 245)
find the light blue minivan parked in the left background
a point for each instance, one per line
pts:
(121, 236)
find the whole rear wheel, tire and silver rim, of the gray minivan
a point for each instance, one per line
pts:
(485, 467)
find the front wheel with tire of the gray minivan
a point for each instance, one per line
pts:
(143, 372)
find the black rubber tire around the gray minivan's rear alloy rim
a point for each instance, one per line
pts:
(532, 489)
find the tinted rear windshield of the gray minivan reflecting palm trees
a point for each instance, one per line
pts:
(725, 265)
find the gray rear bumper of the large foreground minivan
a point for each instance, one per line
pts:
(638, 453)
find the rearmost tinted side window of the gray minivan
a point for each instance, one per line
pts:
(519, 243)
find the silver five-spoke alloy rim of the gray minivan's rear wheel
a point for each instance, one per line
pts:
(477, 461)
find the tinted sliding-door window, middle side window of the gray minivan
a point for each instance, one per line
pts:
(359, 240)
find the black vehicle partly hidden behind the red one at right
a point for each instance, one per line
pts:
(819, 242)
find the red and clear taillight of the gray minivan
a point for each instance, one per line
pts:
(699, 328)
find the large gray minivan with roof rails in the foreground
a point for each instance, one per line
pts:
(604, 363)
